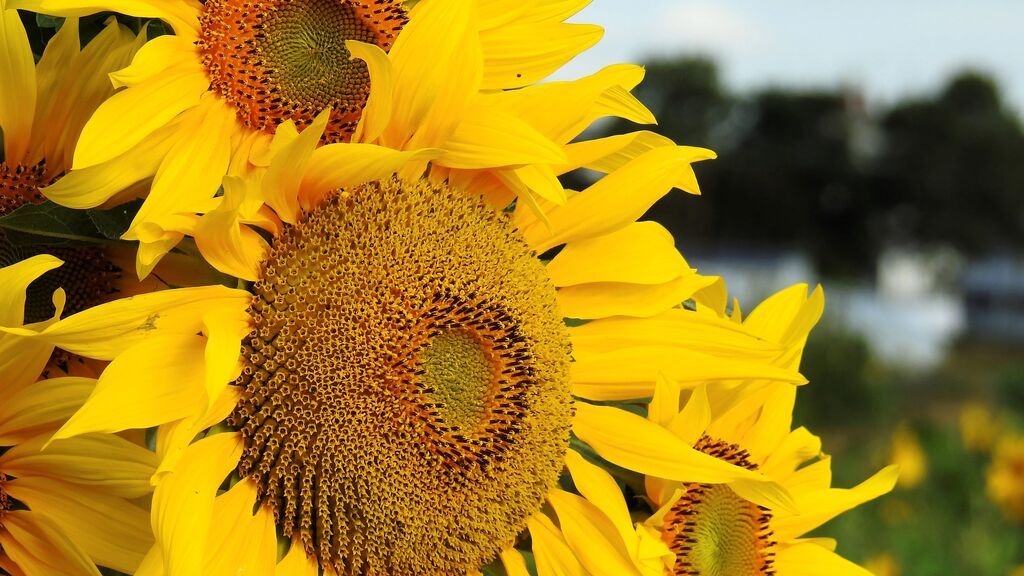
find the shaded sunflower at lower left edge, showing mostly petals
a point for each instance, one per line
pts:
(66, 509)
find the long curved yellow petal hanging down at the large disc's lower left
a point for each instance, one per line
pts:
(184, 503)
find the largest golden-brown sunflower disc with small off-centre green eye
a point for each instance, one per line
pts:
(406, 402)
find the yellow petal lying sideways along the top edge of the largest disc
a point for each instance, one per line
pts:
(344, 167)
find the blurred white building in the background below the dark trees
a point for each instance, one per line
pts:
(909, 318)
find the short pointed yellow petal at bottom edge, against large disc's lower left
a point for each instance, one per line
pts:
(239, 542)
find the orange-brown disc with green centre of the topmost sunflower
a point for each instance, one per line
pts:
(283, 60)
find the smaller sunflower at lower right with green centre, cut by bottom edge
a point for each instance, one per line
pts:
(709, 528)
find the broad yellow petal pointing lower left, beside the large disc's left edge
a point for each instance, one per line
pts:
(173, 390)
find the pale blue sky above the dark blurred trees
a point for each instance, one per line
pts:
(890, 49)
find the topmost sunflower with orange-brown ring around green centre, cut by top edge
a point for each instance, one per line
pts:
(247, 76)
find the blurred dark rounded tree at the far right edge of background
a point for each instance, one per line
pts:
(951, 171)
